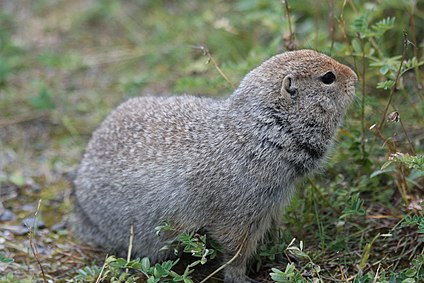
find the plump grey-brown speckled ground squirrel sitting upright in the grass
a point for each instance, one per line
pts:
(223, 166)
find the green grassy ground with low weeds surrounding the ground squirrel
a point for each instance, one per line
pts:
(65, 64)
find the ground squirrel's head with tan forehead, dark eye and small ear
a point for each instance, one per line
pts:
(300, 97)
